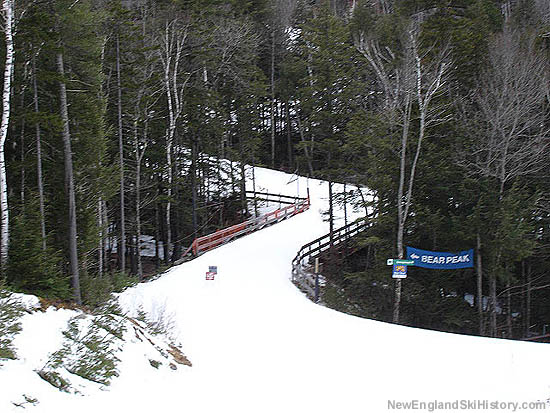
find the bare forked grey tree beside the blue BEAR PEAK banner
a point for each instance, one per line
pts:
(417, 80)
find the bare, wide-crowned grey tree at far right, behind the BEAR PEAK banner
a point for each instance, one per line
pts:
(512, 140)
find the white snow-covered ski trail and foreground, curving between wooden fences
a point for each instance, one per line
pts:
(258, 345)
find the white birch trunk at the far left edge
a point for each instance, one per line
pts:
(8, 9)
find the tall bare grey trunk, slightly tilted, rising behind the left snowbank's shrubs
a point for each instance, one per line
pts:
(69, 182)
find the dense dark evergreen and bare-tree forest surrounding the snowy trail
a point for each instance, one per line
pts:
(117, 114)
